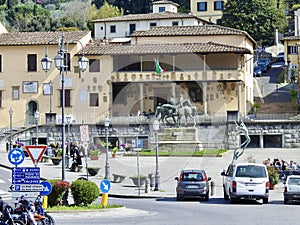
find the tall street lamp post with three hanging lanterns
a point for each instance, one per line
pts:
(60, 63)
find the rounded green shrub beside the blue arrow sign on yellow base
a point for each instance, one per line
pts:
(84, 192)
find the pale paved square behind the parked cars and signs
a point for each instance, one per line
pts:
(169, 168)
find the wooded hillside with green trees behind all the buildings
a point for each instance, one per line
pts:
(258, 17)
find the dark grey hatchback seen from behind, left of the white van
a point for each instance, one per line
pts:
(192, 184)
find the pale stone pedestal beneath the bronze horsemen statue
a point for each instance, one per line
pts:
(179, 140)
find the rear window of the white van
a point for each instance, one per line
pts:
(251, 171)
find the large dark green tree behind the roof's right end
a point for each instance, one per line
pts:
(259, 18)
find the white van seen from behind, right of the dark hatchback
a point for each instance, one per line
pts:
(246, 181)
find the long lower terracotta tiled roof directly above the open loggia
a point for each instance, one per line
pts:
(117, 49)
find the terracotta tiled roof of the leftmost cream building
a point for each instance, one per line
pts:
(39, 38)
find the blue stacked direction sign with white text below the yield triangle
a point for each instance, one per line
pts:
(26, 175)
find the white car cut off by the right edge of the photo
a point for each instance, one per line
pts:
(292, 188)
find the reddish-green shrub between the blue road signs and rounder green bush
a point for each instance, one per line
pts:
(59, 189)
